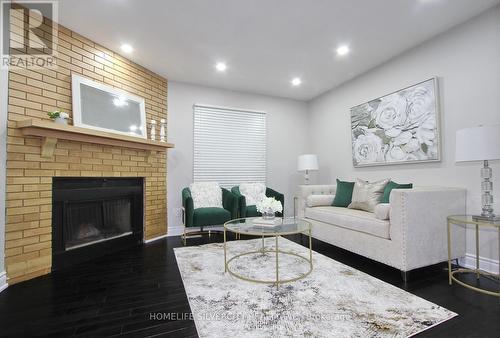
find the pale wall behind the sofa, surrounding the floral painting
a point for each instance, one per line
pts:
(467, 62)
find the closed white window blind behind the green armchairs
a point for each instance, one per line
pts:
(229, 146)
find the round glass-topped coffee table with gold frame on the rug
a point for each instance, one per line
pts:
(283, 226)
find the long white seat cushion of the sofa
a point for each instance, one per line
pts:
(358, 220)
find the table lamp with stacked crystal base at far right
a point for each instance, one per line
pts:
(481, 144)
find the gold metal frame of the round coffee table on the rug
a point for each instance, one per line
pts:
(254, 231)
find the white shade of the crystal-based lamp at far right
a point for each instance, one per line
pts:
(478, 144)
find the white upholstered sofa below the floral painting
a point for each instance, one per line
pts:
(414, 236)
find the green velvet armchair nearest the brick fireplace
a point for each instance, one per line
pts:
(204, 217)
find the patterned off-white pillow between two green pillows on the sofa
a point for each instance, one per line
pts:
(366, 195)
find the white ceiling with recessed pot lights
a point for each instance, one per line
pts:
(265, 43)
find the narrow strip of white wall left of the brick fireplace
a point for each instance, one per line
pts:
(3, 138)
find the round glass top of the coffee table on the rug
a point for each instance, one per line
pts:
(283, 226)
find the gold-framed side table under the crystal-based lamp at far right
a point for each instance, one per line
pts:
(463, 220)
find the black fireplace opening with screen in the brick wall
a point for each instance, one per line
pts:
(94, 216)
